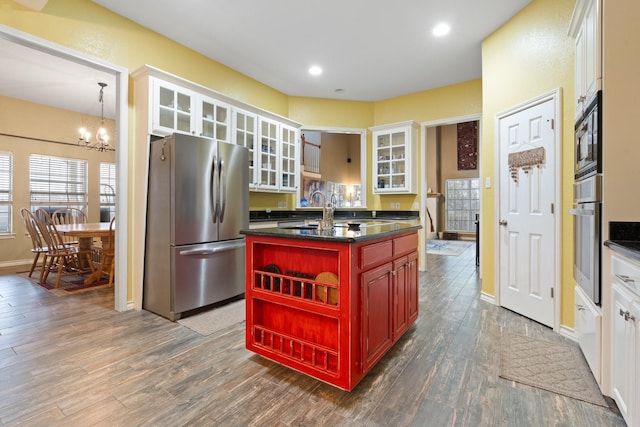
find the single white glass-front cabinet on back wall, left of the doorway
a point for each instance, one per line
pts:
(394, 160)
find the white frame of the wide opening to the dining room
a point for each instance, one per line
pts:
(122, 140)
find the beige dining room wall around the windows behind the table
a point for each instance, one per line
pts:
(22, 126)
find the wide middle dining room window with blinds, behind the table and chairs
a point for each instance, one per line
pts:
(56, 183)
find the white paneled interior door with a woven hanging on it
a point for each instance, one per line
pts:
(527, 236)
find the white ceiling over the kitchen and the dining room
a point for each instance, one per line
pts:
(370, 49)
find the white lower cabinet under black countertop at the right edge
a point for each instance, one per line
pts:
(626, 339)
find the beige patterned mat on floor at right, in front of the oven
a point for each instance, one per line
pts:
(555, 367)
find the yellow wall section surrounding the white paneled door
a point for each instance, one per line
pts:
(530, 55)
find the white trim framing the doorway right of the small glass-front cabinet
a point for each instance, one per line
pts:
(422, 254)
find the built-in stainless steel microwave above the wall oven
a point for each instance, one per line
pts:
(588, 140)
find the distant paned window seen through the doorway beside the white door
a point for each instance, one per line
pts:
(463, 203)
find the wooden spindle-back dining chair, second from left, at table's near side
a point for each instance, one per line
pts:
(63, 259)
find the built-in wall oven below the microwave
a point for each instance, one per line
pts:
(587, 234)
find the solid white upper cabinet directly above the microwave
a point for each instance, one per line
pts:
(586, 28)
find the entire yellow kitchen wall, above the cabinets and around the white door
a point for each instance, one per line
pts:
(529, 55)
